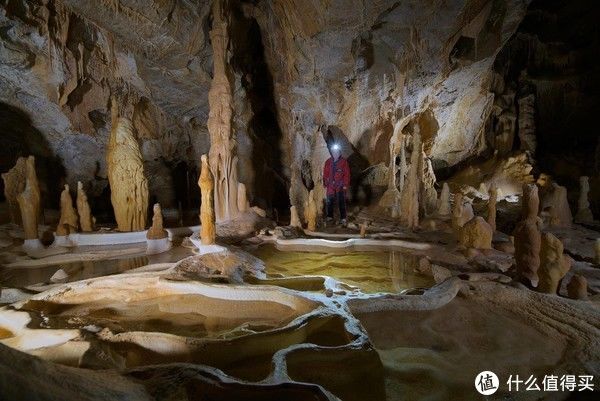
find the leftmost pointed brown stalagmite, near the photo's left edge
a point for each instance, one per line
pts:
(29, 201)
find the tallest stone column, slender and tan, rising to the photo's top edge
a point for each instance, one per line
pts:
(223, 161)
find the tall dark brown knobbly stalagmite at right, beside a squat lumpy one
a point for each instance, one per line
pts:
(528, 237)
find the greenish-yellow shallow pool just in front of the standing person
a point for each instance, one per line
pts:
(381, 271)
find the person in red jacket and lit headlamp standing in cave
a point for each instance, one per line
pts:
(336, 179)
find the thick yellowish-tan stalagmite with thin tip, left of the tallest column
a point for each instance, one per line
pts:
(128, 184)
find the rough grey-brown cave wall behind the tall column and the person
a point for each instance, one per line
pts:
(300, 67)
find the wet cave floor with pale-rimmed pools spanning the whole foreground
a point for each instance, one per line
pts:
(362, 318)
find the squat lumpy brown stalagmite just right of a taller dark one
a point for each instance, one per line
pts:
(553, 264)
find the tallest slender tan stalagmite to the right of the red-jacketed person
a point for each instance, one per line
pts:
(410, 193)
